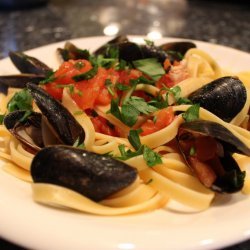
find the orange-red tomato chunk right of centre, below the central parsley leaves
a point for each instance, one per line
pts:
(163, 118)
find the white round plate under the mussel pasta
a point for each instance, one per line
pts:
(39, 227)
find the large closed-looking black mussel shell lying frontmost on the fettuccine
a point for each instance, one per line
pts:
(92, 175)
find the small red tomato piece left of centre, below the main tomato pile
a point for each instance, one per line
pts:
(101, 125)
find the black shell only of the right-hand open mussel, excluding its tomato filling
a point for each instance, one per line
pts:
(228, 179)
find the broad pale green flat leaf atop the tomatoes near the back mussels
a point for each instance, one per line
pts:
(150, 67)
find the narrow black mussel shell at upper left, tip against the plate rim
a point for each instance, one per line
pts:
(29, 64)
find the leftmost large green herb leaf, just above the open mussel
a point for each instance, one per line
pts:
(22, 100)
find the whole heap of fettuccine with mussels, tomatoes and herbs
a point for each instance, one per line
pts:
(127, 128)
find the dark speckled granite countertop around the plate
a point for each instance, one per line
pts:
(222, 22)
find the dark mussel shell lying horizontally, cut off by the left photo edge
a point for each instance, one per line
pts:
(20, 80)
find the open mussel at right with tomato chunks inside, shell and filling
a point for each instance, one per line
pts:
(207, 148)
